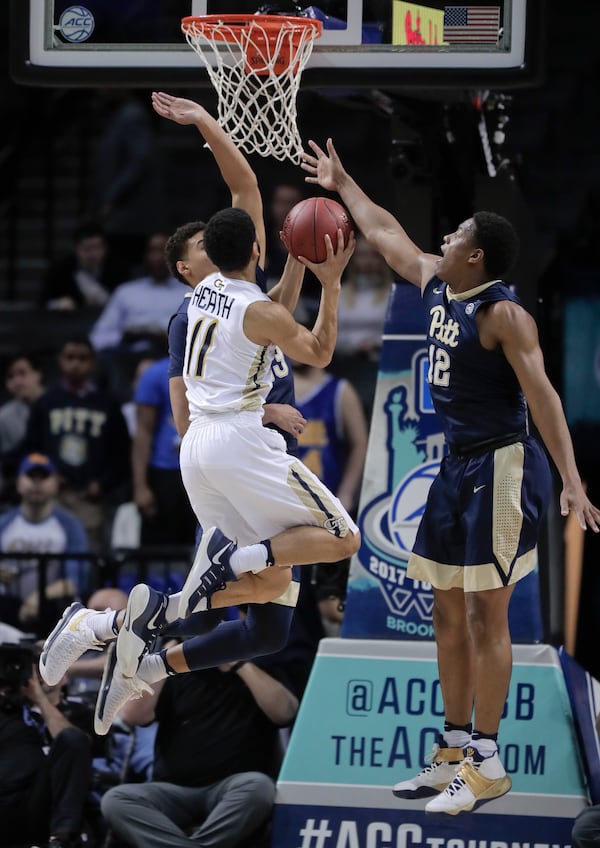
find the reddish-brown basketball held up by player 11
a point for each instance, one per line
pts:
(307, 223)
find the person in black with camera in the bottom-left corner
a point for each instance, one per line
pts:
(45, 760)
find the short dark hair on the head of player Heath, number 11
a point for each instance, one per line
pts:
(228, 239)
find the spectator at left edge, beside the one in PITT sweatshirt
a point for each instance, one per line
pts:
(24, 382)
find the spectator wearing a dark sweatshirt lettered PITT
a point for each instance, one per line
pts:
(83, 429)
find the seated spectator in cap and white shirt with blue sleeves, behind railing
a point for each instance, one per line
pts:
(39, 526)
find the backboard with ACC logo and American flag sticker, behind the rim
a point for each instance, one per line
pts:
(388, 44)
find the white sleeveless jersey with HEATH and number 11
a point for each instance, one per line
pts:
(223, 370)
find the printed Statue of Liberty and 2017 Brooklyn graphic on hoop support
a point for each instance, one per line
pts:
(411, 449)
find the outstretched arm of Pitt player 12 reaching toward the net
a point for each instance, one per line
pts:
(378, 225)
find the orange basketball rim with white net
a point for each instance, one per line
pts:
(255, 63)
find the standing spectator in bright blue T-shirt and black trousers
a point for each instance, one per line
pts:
(158, 491)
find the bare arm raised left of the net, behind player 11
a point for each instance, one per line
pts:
(235, 170)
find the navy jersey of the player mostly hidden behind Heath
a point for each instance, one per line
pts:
(283, 384)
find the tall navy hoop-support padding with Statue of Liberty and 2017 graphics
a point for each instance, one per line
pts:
(406, 446)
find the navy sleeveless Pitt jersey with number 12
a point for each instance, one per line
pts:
(475, 391)
